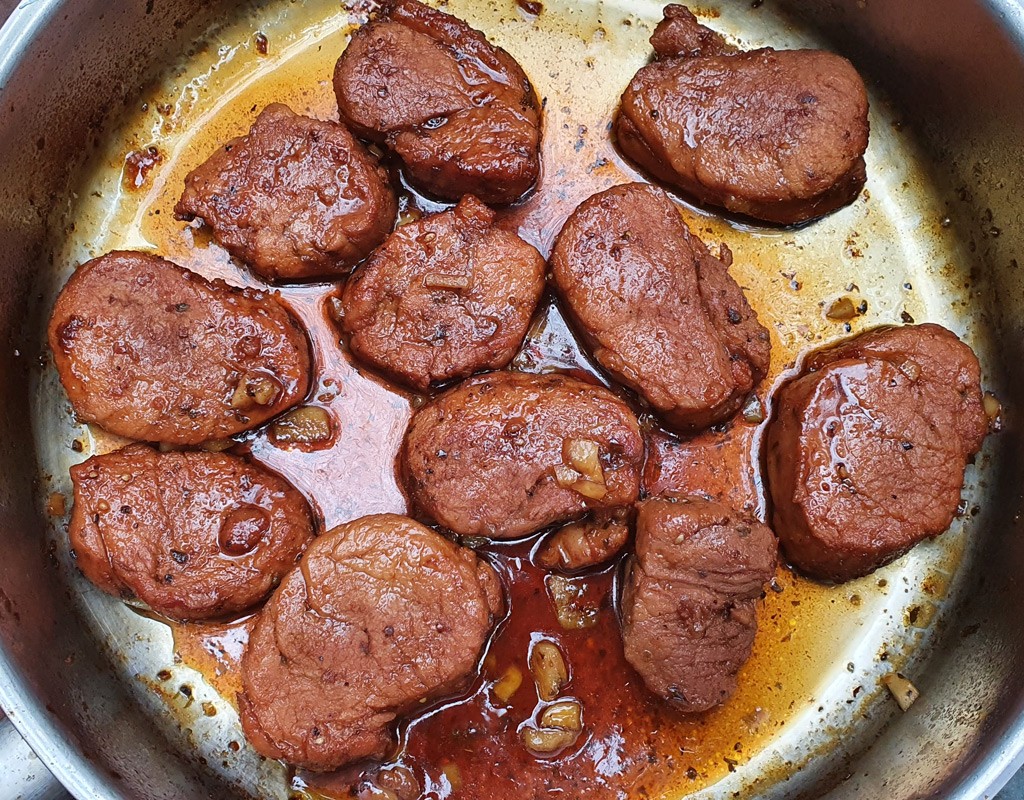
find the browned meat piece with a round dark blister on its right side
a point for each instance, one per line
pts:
(193, 535)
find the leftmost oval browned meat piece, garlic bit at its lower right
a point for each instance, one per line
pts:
(150, 351)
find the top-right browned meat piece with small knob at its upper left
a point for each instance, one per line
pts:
(777, 136)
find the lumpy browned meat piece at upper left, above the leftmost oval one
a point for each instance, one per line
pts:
(295, 198)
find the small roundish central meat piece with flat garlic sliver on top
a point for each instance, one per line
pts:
(445, 298)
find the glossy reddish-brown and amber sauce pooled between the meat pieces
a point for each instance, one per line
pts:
(632, 745)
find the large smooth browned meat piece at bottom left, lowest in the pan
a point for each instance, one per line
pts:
(381, 616)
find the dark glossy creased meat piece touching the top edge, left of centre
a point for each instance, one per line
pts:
(460, 113)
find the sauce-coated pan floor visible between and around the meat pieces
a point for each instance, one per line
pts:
(794, 695)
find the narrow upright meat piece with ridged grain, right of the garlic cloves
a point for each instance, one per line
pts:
(690, 602)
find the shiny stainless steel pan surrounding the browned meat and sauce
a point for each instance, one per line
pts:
(948, 178)
